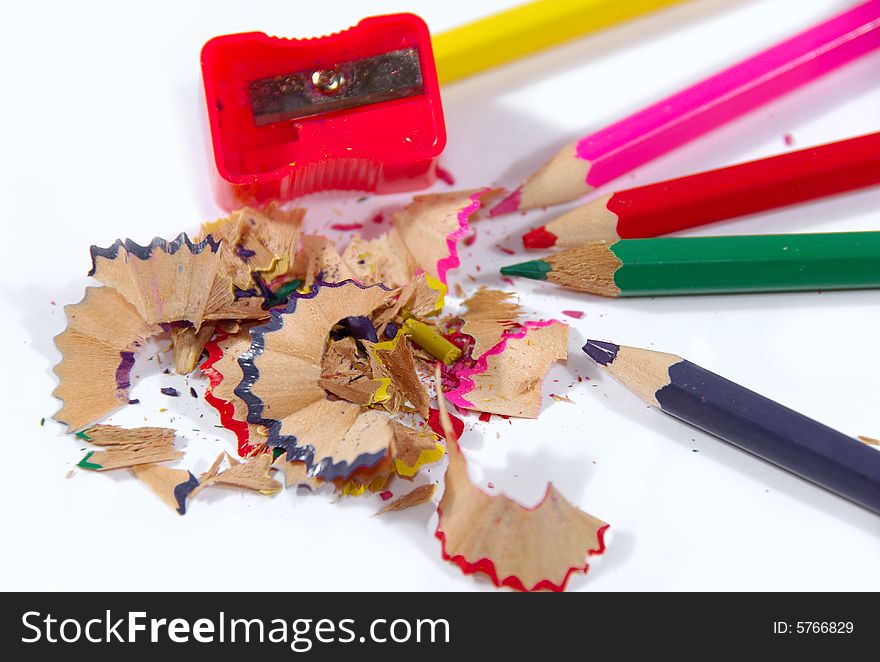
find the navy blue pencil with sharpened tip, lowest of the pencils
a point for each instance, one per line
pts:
(756, 424)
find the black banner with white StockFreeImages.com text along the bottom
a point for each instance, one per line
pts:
(398, 626)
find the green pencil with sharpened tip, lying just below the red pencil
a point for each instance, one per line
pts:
(706, 265)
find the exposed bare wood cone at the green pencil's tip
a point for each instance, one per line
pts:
(588, 268)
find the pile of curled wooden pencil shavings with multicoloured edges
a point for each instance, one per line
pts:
(325, 366)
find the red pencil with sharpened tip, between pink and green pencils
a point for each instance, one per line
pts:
(715, 195)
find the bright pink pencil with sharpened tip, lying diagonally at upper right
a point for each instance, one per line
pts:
(615, 150)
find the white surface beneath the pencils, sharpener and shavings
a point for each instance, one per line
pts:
(102, 135)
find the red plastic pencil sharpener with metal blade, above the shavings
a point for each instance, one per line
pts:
(358, 109)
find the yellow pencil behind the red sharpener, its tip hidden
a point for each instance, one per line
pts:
(525, 29)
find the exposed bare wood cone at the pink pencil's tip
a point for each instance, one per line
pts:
(562, 178)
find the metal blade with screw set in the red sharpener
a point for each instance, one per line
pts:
(392, 75)
